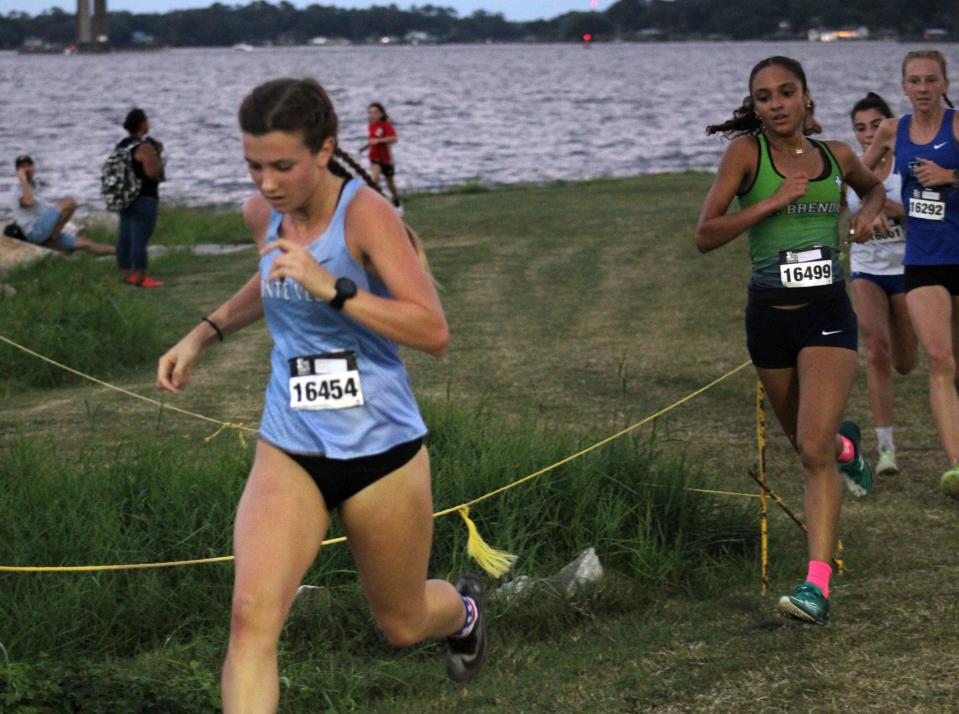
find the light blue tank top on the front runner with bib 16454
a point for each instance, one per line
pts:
(304, 327)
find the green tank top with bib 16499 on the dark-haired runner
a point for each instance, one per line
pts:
(795, 252)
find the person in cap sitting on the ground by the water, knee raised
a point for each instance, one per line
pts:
(42, 222)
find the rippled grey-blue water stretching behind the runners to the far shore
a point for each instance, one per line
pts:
(497, 114)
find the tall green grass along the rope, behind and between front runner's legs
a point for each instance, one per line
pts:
(163, 500)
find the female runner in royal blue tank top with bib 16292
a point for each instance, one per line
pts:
(926, 149)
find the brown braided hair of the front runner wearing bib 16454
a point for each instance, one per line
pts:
(302, 105)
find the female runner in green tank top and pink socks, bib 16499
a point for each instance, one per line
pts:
(801, 330)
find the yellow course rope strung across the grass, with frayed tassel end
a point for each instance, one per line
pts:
(493, 561)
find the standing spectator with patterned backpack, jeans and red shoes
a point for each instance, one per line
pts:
(130, 184)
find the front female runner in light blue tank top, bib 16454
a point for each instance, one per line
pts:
(341, 284)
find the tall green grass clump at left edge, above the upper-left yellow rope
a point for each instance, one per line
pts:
(77, 312)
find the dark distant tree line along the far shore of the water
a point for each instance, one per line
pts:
(262, 22)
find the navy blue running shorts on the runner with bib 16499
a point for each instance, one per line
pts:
(775, 336)
